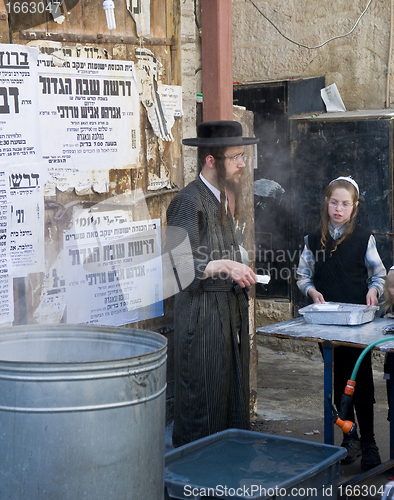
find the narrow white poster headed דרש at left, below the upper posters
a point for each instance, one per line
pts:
(25, 189)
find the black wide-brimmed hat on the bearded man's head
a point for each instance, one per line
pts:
(222, 133)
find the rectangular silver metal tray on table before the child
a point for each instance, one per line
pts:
(336, 313)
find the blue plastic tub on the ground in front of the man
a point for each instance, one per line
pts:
(249, 465)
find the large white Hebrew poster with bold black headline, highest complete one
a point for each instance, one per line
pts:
(88, 113)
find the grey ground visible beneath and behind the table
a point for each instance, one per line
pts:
(290, 403)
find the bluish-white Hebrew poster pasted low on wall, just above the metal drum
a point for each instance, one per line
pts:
(112, 268)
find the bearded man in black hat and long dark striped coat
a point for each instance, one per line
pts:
(211, 314)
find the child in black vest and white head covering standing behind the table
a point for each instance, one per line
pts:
(340, 263)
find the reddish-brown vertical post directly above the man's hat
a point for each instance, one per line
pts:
(217, 67)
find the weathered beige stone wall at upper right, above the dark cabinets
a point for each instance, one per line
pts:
(356, 63)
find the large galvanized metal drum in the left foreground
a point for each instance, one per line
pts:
(82, 413)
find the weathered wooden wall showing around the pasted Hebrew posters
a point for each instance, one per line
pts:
(84, 31)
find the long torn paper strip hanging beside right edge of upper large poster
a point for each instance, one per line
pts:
(146, 70)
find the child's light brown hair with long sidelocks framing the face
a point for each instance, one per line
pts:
(325, 219)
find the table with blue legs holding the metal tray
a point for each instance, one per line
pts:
(331, 336)
